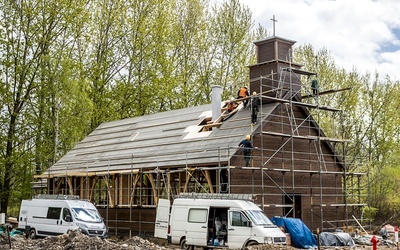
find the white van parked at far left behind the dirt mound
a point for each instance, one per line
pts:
(49, 215)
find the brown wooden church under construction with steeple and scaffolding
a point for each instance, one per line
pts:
(126, 166)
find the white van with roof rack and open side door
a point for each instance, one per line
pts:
(215, 220)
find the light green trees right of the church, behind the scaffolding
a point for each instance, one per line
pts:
(370, 120)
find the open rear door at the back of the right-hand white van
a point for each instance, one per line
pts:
(162, 218)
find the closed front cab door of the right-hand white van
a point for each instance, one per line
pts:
(238, 229)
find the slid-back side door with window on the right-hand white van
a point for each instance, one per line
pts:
(197, 227)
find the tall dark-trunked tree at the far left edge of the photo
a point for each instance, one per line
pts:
(29, 31)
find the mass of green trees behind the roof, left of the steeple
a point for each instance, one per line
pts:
(70, 66)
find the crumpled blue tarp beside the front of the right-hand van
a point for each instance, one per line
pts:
(300, 235)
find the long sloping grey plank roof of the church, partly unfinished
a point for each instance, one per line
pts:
(168, 139)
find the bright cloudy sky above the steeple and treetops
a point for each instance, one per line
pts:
(360, 34)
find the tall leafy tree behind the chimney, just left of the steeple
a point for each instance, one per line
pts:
(231, 47)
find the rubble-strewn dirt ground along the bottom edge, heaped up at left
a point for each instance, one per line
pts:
(76, 240)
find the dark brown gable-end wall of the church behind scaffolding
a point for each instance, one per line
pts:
(277, 178)
